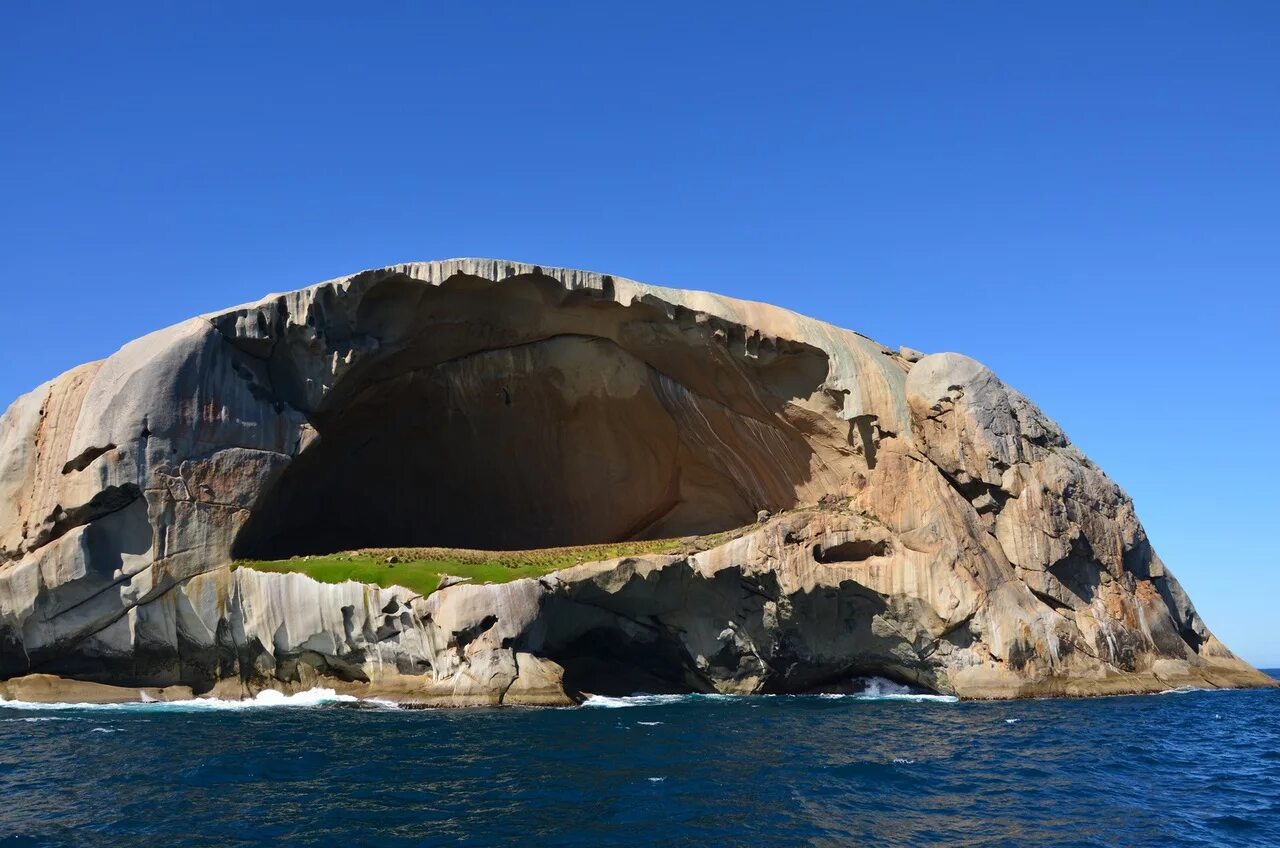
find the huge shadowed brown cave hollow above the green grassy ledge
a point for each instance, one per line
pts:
(519, 416)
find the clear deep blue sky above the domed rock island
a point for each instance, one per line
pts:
(1086, 197)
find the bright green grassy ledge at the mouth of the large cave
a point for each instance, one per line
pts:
(422, 569)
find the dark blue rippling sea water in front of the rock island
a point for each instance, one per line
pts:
(1178, 769)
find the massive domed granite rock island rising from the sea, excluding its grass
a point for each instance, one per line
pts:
(930, 523)
